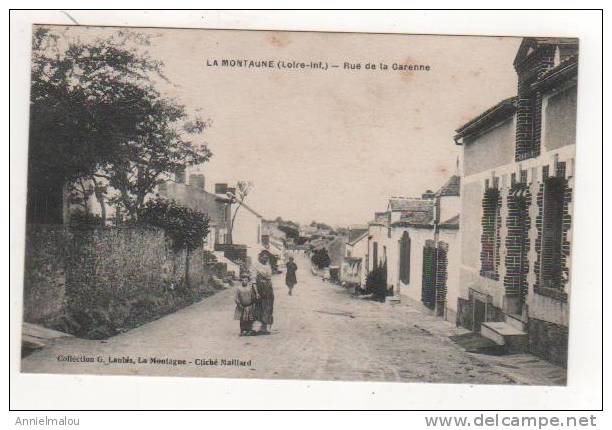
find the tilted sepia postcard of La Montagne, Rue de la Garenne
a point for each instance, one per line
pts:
(299, 205)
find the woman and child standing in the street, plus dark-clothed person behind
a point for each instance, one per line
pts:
(255, 300)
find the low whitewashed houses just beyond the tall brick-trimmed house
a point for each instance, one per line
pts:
(417, 241)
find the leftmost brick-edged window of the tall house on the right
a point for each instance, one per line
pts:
(490, 240)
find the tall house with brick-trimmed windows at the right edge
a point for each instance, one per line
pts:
(516, 205)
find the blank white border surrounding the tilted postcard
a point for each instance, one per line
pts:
(115, 392)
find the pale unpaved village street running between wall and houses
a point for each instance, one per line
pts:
(321, 332)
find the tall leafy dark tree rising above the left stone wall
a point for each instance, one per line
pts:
(96, 115)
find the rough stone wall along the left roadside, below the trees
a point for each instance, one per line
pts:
(96, 283)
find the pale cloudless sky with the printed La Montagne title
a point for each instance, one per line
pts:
(332, 145)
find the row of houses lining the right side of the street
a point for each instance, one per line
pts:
(490, 249)
